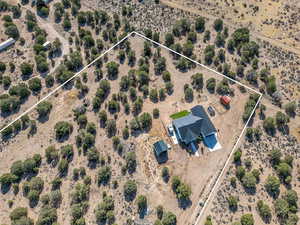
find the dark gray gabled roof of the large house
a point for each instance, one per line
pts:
(194, 125)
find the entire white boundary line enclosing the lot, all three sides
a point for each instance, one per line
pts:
(219, 177)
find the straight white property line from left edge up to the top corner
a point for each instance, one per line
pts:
(60, 86)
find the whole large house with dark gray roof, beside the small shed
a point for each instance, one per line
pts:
(196, 125)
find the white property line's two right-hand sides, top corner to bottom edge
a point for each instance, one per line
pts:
(219, 177)
